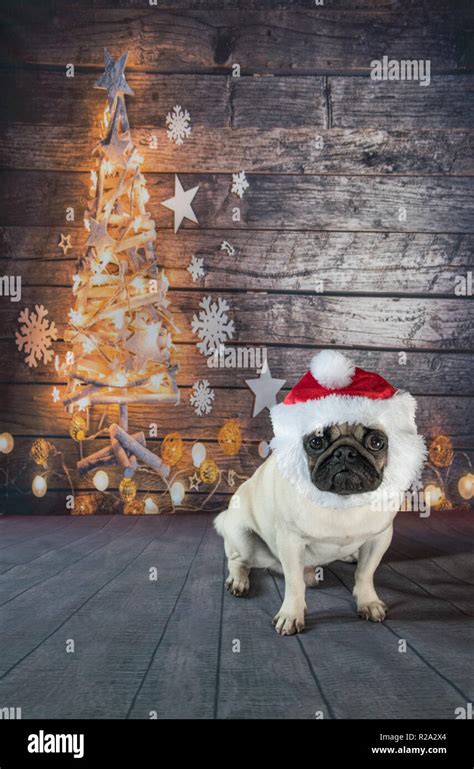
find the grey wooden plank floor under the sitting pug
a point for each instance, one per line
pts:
(170, 647)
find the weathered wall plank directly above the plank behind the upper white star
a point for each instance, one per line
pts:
(278, 151)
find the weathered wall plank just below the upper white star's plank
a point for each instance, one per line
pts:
(353, 262)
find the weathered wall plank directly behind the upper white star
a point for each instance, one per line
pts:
(289, 202)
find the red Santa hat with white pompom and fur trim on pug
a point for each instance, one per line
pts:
(335, 391)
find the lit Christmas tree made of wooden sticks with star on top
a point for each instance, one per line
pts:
(120, 326)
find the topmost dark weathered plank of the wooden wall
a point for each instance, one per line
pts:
(309, 39)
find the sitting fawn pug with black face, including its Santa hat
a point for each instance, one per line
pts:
(345, 446)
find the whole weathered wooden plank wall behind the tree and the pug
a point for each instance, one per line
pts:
(310, 214)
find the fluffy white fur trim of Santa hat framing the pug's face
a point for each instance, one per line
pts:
(395, 416)
